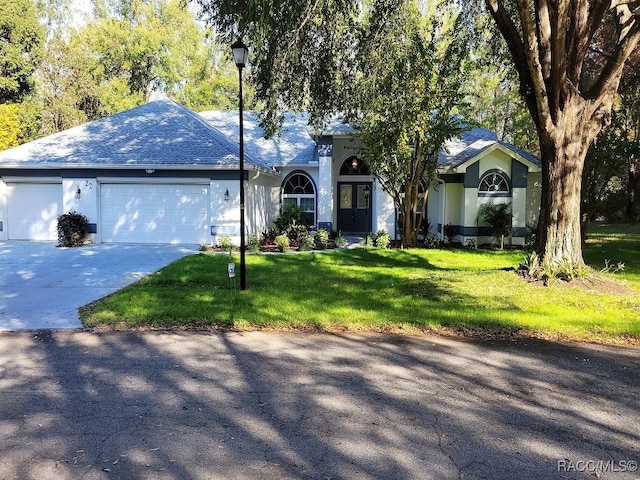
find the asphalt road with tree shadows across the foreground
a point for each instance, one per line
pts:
(231, 405)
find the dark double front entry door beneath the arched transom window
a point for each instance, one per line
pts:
(354, 212)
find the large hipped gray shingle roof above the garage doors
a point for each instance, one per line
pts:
(160, 133)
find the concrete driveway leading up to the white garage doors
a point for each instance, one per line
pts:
(42, 286)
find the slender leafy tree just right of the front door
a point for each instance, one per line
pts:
(411, 66)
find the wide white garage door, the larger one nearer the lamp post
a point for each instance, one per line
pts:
(152, 213)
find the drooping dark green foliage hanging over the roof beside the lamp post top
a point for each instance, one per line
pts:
(302, 53)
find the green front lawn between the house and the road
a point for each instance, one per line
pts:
(410, 291)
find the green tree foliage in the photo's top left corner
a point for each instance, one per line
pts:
(21, 37)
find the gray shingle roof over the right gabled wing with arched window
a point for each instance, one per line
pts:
(473, 142)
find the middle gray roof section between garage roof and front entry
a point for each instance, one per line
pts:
(294, 146)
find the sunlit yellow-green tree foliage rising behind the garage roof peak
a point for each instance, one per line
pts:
(126, 51)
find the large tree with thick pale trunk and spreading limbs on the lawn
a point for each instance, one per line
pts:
(550, 43)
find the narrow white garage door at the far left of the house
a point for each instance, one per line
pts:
(33, 210)
